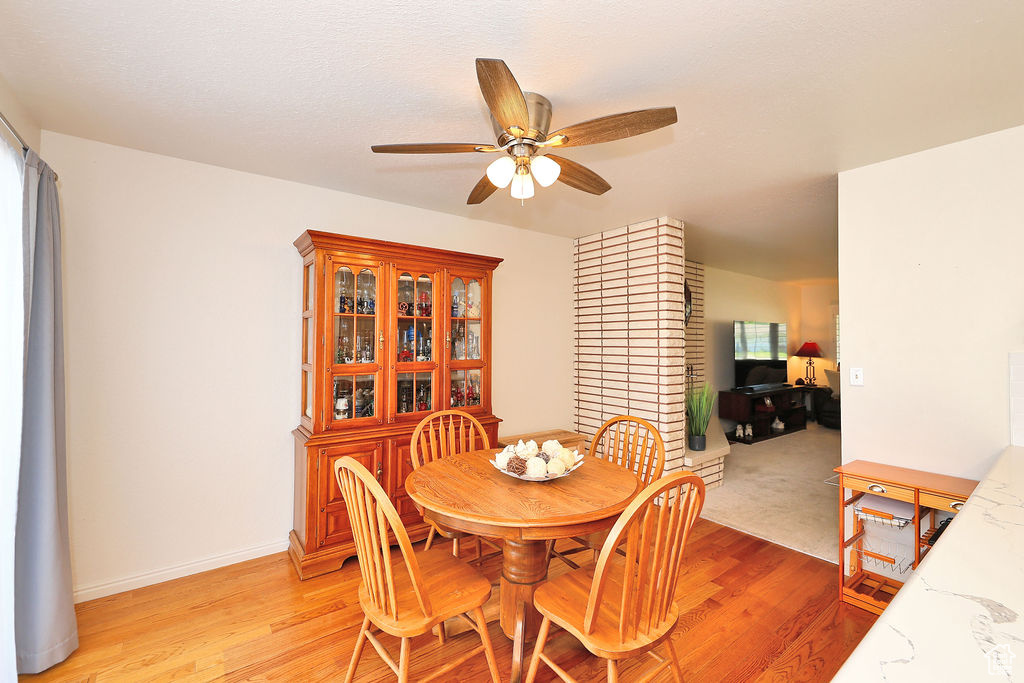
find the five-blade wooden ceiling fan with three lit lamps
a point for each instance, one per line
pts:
(521, 121)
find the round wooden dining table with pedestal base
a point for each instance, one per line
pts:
(467, 494)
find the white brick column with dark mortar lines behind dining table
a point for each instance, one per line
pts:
(629, 330)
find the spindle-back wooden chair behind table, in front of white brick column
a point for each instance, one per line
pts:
(630, 443)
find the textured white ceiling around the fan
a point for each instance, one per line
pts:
(774, 98)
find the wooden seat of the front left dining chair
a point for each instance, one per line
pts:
(452, 586)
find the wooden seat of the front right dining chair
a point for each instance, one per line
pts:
(564, 601)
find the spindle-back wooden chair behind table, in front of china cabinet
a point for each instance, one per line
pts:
(442, 435)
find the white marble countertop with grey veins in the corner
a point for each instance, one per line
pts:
(961, 615)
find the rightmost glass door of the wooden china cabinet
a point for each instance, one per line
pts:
(465, 343)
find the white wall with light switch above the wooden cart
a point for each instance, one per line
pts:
(931, 250)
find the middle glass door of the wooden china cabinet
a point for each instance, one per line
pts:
(414, 355)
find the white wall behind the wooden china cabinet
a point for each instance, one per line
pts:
(182, 307)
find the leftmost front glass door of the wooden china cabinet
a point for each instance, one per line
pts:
(357, 343)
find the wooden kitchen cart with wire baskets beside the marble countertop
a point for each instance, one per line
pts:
(927, 492)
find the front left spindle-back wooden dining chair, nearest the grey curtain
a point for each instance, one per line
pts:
(406, 593)
